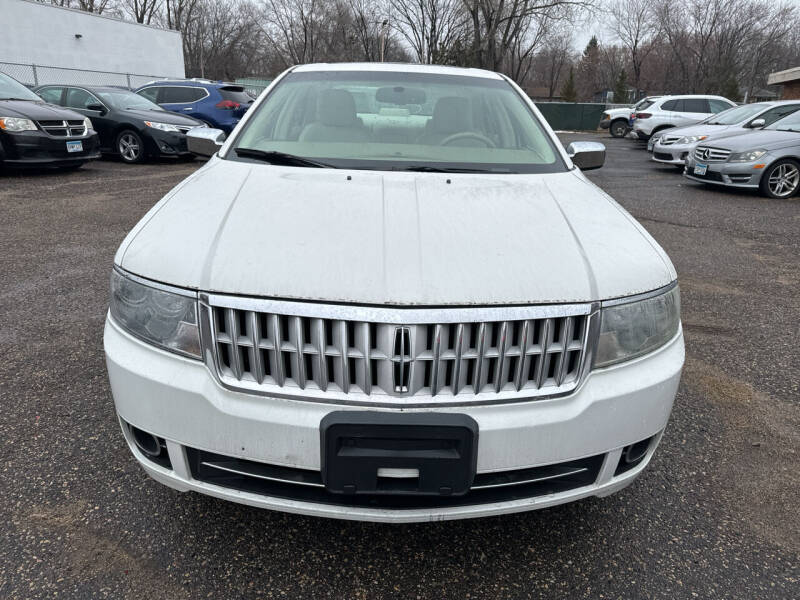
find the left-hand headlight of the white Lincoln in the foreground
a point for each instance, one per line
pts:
(163, 318)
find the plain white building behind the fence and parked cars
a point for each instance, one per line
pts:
(50, 36)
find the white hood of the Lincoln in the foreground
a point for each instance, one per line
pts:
(374, 237)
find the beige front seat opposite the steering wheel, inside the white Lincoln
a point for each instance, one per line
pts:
(337, 120)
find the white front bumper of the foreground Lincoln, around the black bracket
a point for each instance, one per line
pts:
(177, 399)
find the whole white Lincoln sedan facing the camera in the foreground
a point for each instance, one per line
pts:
(419, 310)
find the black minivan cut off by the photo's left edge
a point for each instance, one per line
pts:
(33, 133)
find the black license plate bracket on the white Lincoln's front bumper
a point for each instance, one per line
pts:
(422, 454)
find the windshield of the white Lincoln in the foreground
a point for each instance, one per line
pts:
(396, 121)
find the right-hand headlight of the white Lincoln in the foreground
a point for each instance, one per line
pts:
(636, 328)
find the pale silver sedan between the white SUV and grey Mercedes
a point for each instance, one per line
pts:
(673, 146)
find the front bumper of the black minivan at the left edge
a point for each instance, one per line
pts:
(36, 148)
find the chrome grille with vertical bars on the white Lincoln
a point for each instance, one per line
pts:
(404, 358)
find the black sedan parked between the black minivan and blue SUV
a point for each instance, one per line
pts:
(129, 126)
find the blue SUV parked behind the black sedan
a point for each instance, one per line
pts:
(219, 105)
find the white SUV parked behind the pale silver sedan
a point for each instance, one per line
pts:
(676, 111)
